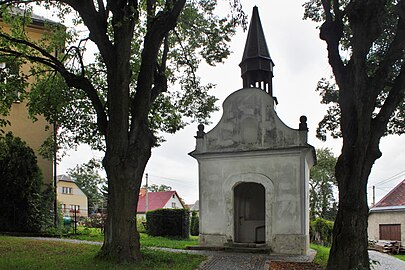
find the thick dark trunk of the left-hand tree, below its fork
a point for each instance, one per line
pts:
(125, 170)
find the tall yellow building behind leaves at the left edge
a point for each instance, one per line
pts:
(33, 133)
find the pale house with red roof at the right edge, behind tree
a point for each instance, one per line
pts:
(386, 220)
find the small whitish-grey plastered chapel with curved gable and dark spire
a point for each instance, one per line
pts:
(253, 169)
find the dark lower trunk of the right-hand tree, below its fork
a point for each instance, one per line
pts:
(349, 246)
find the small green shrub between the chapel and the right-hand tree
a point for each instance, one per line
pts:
(321, 231)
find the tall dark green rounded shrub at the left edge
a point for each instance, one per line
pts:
(23, 207)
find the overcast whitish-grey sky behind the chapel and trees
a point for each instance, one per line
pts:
(300, 61)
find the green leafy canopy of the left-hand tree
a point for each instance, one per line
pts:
(199, 35)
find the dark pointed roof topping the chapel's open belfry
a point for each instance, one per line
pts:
(256, 45)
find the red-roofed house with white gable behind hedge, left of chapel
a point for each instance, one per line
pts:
(149, 201)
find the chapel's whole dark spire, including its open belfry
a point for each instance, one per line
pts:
(256, 65)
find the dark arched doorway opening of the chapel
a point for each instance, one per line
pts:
(249, 213)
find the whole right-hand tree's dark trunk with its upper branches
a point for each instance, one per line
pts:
(361, 129)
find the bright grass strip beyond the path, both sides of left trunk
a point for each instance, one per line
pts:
(146, 240)
